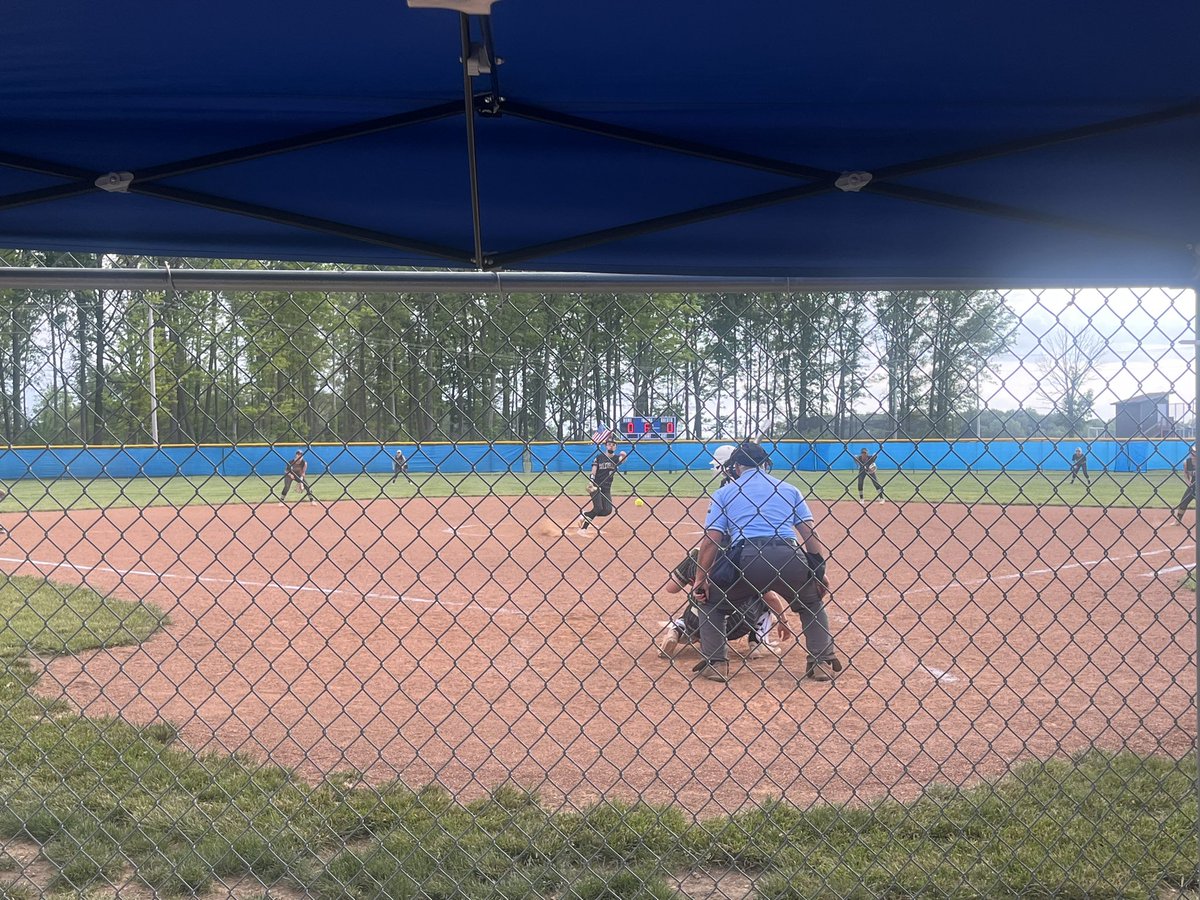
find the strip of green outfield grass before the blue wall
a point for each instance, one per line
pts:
(1157, 490)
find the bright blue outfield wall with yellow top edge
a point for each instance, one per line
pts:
(139, 461)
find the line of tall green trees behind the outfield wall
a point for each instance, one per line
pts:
(76, 365)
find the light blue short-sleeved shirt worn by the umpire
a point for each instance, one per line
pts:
(758, 506)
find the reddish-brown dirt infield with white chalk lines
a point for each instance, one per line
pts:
(473, 643)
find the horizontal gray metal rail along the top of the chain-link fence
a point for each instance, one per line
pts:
(435, 283)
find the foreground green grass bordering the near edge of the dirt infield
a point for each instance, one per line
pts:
(104, 799)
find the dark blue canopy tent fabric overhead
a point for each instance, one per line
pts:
(985, 142)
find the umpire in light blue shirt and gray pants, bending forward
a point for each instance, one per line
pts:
(760, 518)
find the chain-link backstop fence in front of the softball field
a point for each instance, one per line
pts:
(321, 593)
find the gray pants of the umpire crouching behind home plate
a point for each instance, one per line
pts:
(763, 568)
